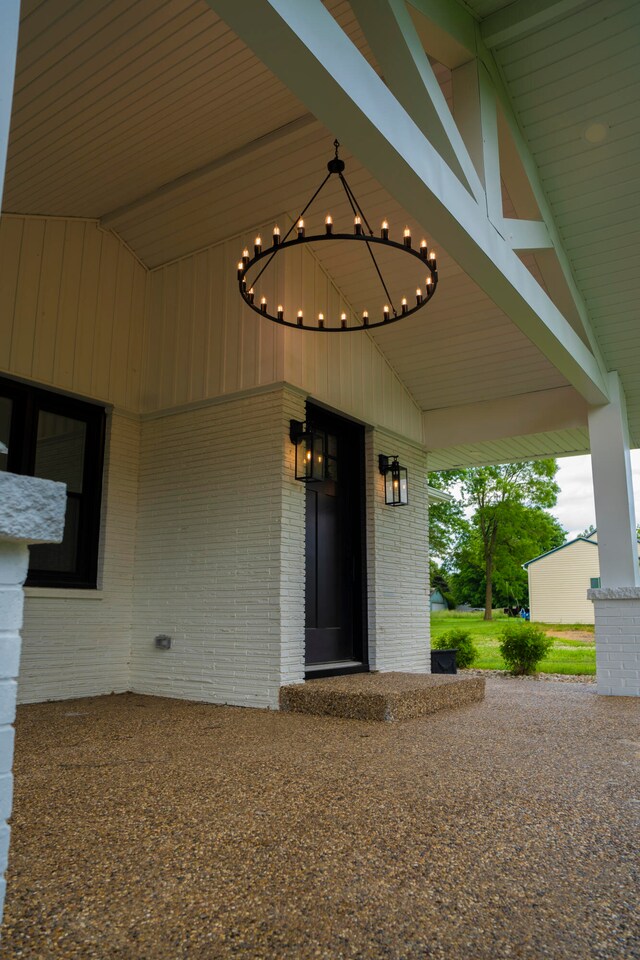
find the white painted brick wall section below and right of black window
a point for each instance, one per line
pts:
(77, 643)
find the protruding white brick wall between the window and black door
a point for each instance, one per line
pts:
(219, 539)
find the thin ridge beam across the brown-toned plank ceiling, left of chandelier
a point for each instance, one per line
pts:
(253, 148)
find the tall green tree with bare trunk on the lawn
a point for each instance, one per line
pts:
(495, 494)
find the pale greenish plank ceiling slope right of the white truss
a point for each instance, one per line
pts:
(570, 81)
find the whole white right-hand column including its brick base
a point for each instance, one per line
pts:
(617, 601)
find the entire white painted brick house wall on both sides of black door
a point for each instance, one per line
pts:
(203, 539)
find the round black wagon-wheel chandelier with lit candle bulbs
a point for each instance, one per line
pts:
(362, 233)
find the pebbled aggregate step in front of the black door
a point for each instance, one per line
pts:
(381, 696)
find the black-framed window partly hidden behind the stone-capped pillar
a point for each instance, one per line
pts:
(44, 434)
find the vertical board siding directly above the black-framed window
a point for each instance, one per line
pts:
(72, 304)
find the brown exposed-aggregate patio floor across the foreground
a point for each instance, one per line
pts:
(150, 828)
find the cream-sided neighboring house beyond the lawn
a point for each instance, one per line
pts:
(559, 580)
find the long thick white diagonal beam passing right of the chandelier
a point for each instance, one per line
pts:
(305, 47)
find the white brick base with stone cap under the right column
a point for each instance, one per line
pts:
(617, 643)
